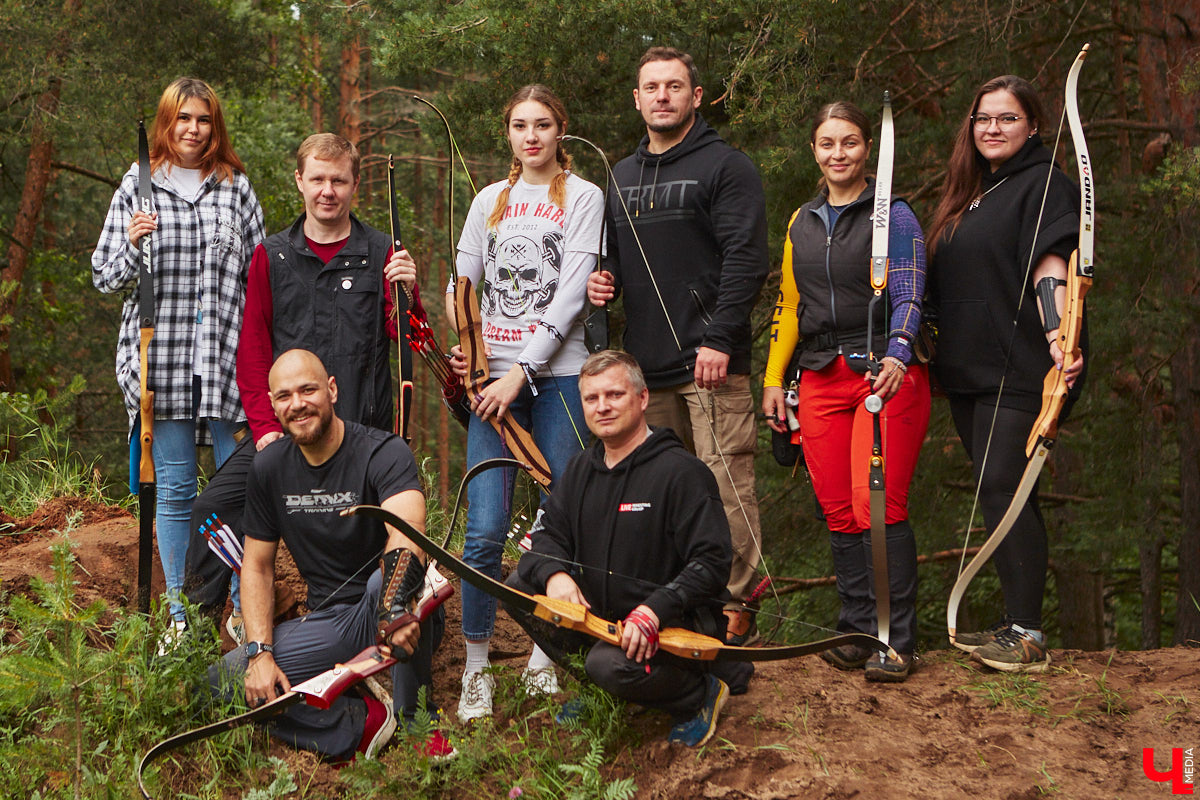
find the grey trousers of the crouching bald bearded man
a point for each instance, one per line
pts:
(311, 645)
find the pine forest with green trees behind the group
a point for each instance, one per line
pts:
(1123, 490)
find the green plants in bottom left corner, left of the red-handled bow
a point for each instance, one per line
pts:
(82, 693)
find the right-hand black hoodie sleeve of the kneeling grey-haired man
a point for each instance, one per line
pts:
(701, 537)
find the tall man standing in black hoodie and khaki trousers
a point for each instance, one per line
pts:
(688, 251)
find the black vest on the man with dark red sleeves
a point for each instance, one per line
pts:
(337, 311)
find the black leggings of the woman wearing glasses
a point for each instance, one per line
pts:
(1023, 557)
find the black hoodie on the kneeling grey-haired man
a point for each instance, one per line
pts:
(650, 531)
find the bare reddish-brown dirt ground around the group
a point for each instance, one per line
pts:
(807, 730)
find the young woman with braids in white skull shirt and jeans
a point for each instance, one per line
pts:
(529, 244)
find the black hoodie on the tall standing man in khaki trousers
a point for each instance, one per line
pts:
(700, 213)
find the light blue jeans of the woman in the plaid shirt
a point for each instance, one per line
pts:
(175, 464)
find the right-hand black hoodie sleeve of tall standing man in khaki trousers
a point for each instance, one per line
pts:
(740, 226)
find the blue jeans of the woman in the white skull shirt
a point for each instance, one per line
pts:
(560, 436)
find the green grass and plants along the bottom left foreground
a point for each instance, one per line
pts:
(83, 696)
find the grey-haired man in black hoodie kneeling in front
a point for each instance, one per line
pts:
(635, 531)
